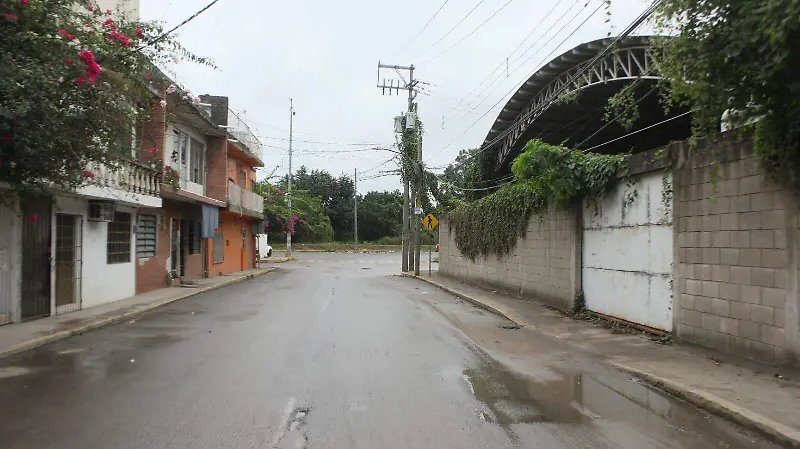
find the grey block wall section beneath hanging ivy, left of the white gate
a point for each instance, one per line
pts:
(545, 265)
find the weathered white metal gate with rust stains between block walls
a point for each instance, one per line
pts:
(627, 253)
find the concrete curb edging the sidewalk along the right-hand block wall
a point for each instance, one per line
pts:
(782, 434)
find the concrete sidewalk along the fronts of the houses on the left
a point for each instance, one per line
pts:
(16, 338)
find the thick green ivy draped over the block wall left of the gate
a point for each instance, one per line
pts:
(545, 175)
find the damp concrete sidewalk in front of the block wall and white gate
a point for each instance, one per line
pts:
(740, 390)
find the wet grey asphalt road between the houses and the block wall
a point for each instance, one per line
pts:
(331, 351)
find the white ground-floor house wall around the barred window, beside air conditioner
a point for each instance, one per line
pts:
(102, 282)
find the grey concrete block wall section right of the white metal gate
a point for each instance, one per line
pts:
(737, 270)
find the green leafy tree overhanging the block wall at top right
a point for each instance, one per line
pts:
(742, 57)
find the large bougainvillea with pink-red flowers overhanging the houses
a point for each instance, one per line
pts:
(73, 85)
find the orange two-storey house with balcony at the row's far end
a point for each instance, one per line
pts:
(232, 177)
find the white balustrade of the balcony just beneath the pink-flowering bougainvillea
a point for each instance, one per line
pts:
(127, 176)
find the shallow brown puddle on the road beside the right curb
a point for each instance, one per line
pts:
(621, 413)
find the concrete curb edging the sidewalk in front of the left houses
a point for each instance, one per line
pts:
(105, 322)
